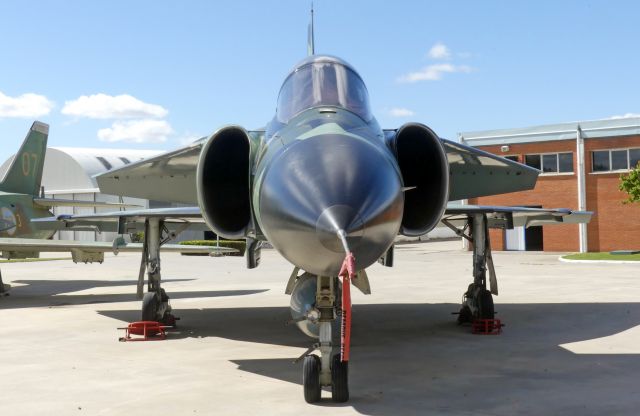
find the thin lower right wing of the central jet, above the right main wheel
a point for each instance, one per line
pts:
(509, 217)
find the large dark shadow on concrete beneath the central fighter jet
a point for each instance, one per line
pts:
(415, 358)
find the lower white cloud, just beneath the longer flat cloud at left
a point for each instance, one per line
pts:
(137, 131)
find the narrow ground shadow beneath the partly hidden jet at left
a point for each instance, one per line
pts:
(52, 293)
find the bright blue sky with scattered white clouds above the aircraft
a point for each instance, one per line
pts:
(156, 74)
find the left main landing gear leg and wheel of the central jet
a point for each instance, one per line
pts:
(155, 303)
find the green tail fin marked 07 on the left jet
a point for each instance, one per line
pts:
(25, 173)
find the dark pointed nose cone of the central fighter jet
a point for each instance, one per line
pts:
(327, 183)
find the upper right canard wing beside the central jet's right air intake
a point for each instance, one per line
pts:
(474, 173)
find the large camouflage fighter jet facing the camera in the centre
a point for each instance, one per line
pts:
(330, 190)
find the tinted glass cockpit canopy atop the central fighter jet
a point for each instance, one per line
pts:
(321, 81)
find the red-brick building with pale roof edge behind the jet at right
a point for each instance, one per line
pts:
(581, 164)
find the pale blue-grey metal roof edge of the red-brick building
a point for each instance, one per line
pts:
(563, 131)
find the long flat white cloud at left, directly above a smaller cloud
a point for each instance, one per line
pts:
(103, 106)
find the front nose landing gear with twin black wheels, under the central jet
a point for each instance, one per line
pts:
(318, 317)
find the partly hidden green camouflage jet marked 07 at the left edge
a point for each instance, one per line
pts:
(21, 202)
